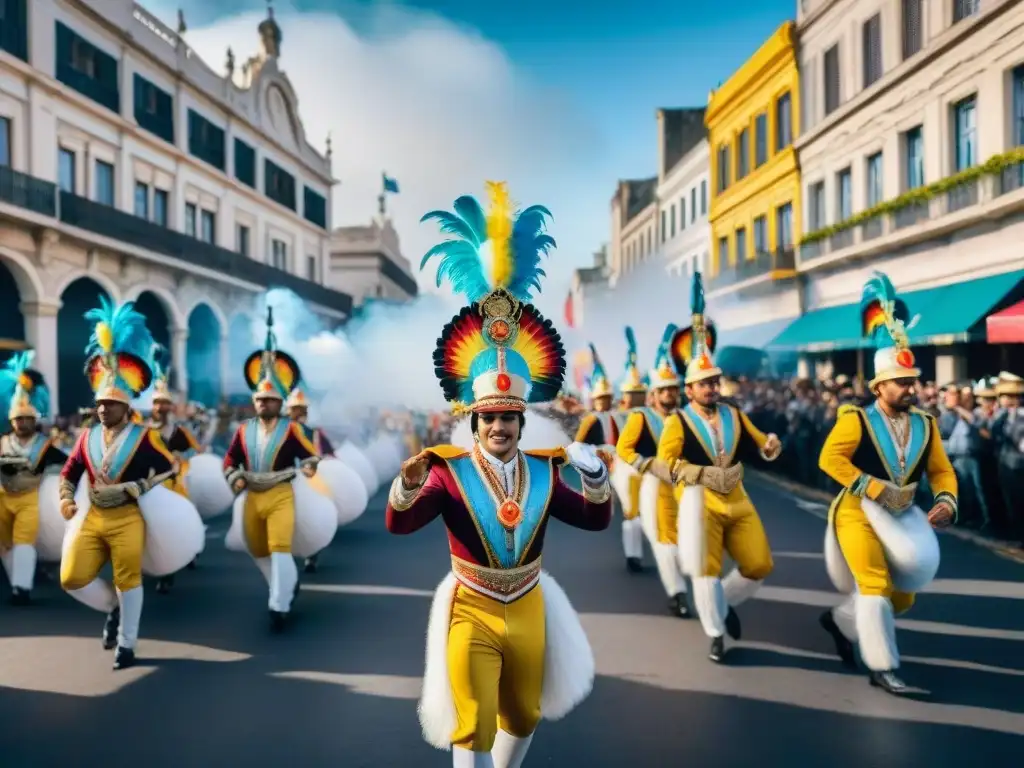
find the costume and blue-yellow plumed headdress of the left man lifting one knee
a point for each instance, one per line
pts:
(122, 462)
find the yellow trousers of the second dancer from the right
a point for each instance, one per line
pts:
(732, 525)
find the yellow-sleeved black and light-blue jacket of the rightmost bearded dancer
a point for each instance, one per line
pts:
(861, 454)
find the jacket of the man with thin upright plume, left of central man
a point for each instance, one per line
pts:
(288, 446)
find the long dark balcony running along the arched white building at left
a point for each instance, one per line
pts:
(44, 198)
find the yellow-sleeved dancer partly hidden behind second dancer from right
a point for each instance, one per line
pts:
(638, 448)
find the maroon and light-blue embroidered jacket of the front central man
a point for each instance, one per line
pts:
(457, 491)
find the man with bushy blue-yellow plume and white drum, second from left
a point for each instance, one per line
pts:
(124, 462)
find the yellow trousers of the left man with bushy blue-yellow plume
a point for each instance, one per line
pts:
(117, 535)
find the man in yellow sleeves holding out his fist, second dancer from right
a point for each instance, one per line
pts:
(704, 445)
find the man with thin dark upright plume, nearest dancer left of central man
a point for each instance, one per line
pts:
(262, 467)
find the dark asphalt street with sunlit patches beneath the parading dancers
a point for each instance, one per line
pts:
(340, 688)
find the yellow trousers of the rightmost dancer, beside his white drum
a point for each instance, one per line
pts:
(864, 553)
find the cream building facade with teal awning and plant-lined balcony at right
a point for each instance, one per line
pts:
(911, 157)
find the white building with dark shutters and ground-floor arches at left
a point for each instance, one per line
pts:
(131, 169)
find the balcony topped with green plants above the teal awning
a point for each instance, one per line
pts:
(931, 211)
